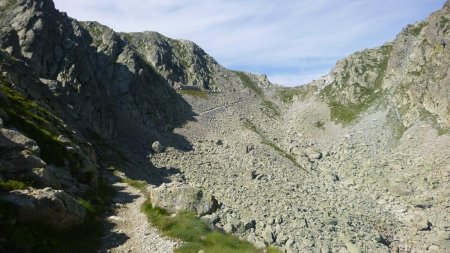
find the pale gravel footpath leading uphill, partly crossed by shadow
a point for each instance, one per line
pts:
(128, 228)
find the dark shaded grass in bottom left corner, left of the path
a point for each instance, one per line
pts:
(37, 237)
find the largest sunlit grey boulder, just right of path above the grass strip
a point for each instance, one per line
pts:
(179, 197)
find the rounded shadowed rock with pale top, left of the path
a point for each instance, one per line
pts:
(52, 207)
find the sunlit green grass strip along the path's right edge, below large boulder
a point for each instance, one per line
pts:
(197, 235)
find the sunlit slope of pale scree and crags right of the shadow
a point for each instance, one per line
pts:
(355, 161)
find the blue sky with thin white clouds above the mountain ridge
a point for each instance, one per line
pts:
(291, 41)
